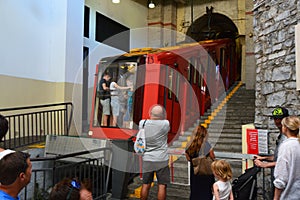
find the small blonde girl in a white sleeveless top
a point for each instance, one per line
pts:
(222, 188)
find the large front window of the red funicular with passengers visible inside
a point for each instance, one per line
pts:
(118, 100)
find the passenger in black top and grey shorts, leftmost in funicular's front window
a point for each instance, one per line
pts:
(105, 97)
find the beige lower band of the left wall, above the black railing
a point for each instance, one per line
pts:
(18, 92)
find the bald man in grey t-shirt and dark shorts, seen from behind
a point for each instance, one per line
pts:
(156, 158)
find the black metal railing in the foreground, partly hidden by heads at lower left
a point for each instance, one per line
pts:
(93, 165)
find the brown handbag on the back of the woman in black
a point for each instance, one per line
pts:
(202, 164)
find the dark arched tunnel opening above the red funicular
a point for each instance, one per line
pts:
(212, 26)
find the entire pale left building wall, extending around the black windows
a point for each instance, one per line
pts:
(42, 80)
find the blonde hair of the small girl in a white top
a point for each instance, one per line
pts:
(222, 169)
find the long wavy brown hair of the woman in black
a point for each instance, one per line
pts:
(199, 136)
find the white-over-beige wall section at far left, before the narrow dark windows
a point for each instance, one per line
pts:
(37, 56)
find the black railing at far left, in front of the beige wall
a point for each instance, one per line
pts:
(30, 124)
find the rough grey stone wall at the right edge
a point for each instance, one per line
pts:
(274, 48)
